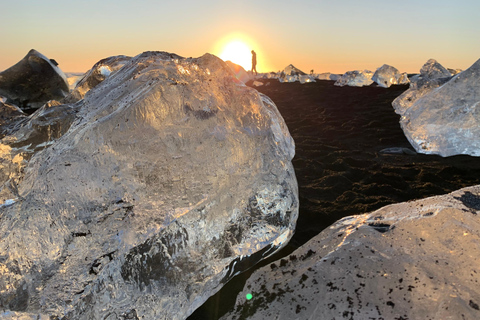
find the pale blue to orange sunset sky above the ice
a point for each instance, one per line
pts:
(324, 36)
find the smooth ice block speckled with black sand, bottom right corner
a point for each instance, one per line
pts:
(414, 260)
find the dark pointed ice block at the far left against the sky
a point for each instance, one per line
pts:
(33, 81)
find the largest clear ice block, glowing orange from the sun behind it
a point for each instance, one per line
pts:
(172, 178)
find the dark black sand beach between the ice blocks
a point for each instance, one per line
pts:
(339, 133)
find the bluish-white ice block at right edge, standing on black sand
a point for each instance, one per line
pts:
(446, 121)
